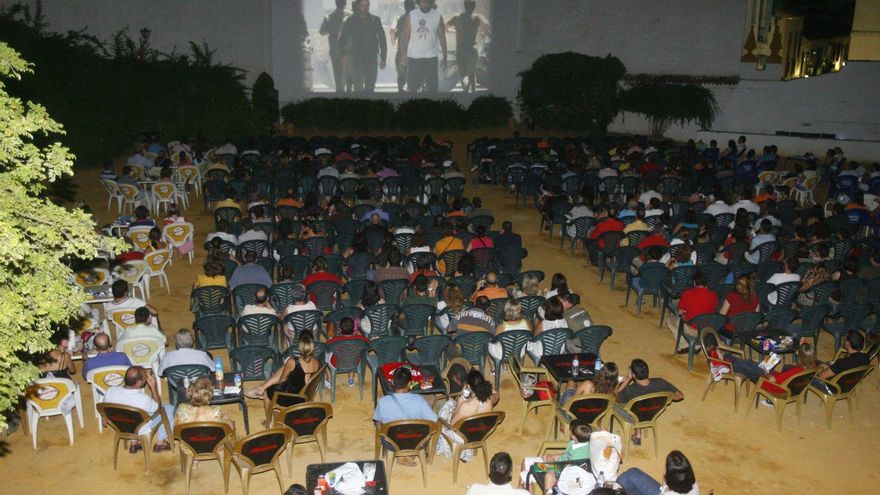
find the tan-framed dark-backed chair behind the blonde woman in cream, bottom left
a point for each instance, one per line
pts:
(203, 441)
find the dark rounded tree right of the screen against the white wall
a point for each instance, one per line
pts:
(571, 91)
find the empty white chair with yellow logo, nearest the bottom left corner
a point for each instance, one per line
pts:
(53, 397)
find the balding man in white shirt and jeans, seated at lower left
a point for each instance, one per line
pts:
(139, 390)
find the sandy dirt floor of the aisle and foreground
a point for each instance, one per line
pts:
(731, 454)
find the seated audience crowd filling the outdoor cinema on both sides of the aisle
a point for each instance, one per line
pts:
(385, 223)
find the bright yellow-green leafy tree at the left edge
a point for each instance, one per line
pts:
(36, 236)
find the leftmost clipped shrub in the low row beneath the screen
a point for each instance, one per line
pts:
(339, 114)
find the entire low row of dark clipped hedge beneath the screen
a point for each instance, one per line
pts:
(421, 114)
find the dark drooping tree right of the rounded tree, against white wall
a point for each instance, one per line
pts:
(665, 104)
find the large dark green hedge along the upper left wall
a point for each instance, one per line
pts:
(106, 94)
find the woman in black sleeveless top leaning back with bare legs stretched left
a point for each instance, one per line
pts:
(293, 375)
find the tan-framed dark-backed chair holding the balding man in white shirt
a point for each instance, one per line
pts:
(127, 422)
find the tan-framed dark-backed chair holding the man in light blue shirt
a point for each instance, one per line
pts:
(407, 438)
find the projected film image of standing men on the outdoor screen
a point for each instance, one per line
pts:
(394, 46)
